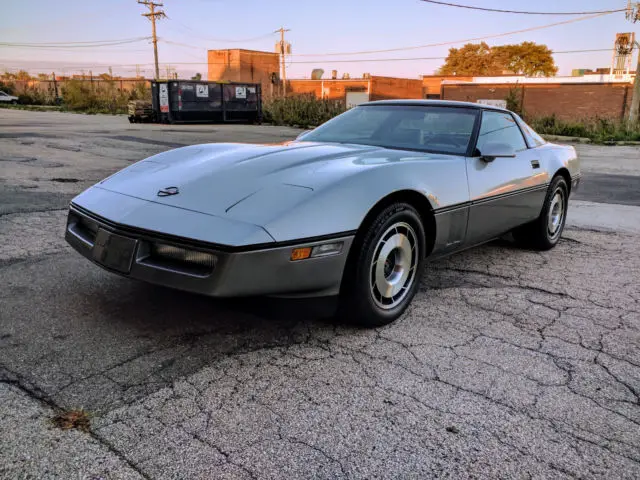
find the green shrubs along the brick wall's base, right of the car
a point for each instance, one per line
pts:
(598, 130)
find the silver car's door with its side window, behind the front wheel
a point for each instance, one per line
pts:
(504, 192)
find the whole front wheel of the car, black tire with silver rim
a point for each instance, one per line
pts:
(383, 270)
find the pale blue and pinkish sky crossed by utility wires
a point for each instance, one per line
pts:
(316, 27)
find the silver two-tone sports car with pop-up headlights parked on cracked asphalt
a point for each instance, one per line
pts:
(352, 208)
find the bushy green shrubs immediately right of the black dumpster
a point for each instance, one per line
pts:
(300, 110)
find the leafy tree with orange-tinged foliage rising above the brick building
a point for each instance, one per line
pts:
(527, 58)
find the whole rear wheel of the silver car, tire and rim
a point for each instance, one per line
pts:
(545, 232)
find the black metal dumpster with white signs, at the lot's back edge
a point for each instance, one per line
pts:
(197, 101)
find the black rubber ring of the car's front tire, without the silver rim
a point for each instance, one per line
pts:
(364, 309)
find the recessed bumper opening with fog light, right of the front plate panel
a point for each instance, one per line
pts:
(179, 259)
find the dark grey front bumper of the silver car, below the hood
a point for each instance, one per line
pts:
(236, 271)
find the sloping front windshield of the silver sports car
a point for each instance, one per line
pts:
(424, 128)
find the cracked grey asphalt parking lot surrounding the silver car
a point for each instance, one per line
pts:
(508, 364)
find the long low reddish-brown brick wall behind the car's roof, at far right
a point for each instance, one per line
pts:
(568, 101)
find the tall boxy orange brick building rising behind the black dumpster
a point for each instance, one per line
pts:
(240, 65)
